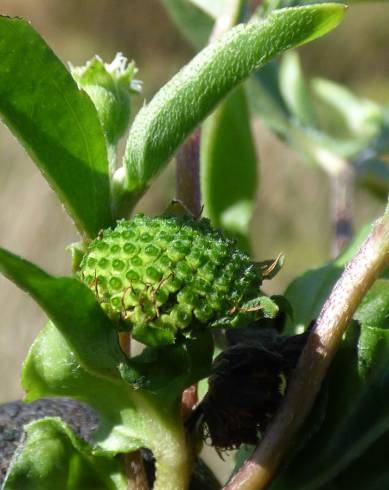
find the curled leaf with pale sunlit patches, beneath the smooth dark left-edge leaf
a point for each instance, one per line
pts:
(52, 368)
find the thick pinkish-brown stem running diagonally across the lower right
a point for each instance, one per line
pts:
(373, 256)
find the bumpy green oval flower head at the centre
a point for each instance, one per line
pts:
(167, 276)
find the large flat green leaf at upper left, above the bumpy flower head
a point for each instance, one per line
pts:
(56, 122)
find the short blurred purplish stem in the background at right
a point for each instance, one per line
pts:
(341, 208)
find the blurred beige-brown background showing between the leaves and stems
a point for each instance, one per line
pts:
(292, 213)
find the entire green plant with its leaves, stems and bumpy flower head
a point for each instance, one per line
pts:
(170, 281)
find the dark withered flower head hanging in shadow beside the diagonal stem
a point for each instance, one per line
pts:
(247, 383)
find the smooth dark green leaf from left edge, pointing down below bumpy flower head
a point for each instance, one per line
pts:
(73, 308)
